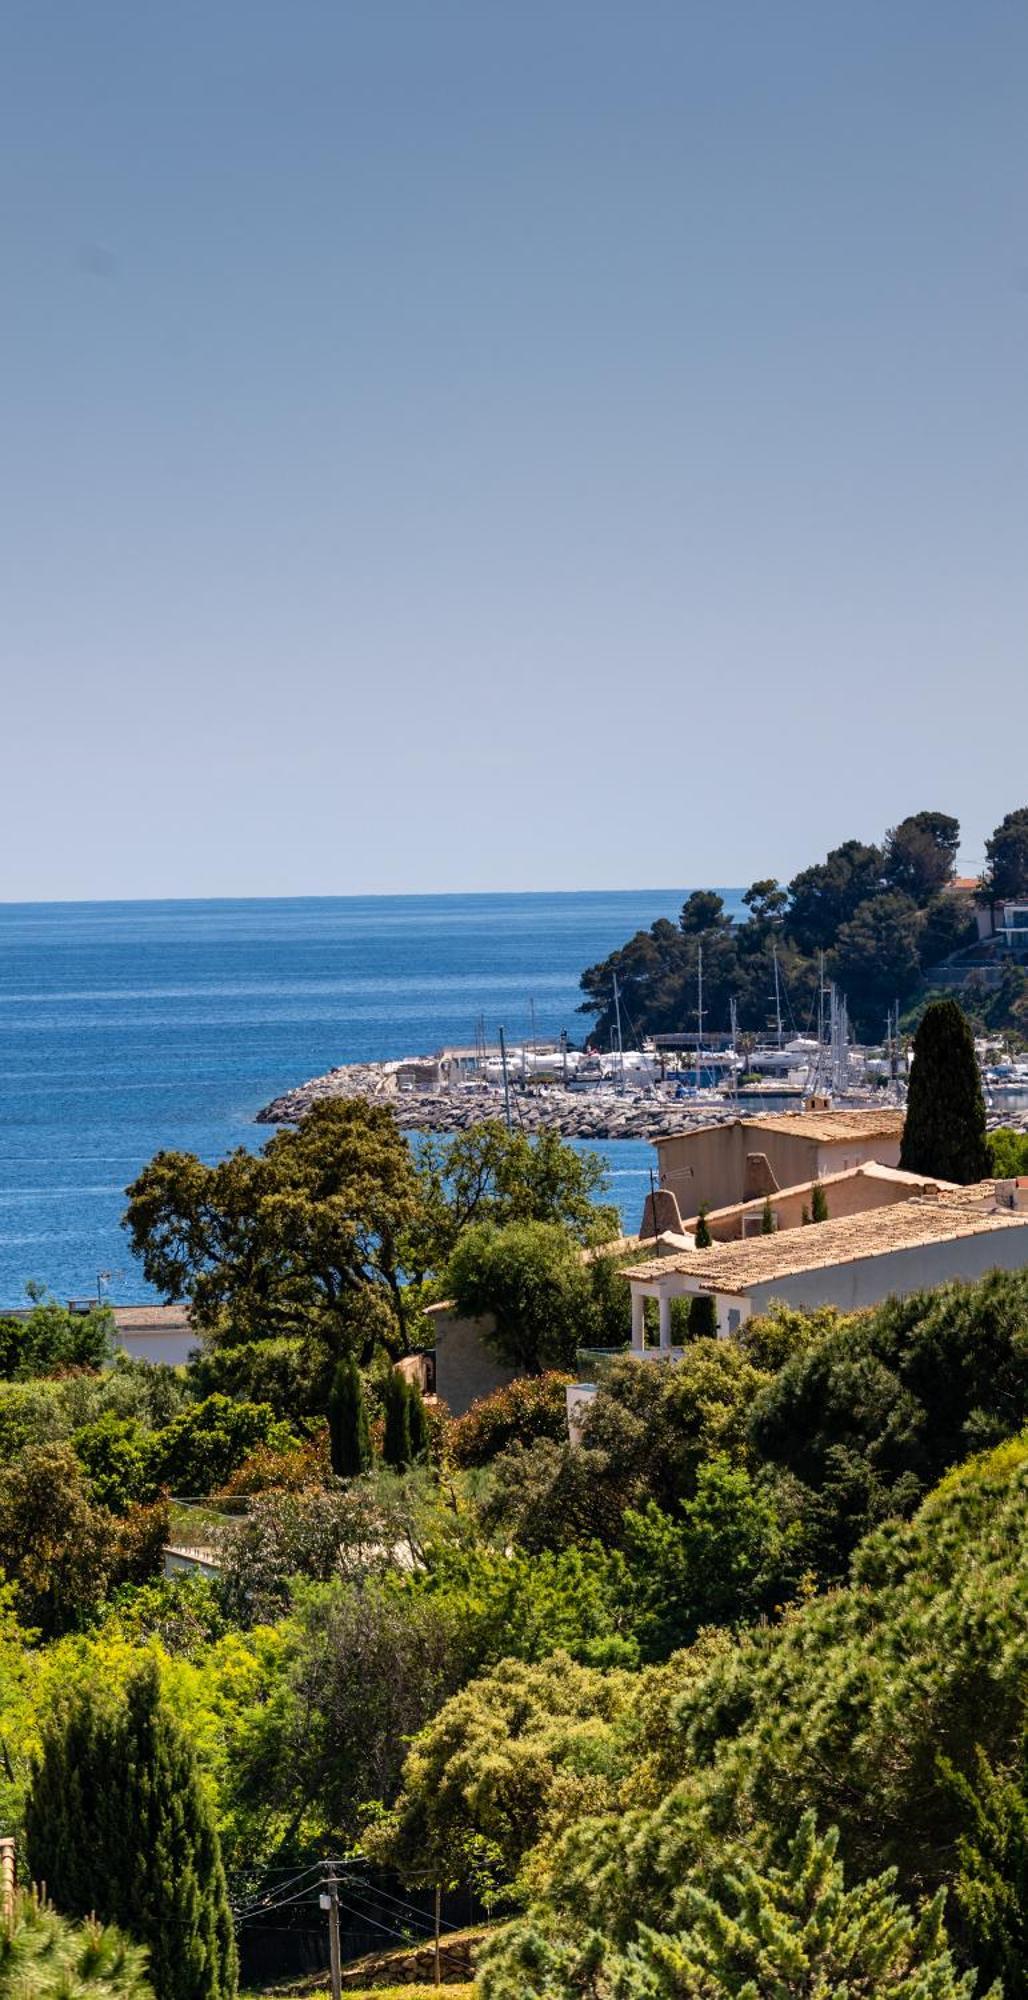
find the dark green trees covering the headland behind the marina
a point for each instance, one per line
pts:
(881, 915)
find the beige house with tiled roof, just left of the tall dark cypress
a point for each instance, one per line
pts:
(749, 1159)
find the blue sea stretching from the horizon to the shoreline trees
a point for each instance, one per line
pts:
(129, 1027)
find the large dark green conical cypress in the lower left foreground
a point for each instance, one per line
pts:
(119, 1827)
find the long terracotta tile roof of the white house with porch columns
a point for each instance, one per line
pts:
(735, 1267)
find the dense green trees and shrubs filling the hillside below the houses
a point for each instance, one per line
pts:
(671, 1699)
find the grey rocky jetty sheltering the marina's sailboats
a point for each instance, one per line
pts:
(575, 1113)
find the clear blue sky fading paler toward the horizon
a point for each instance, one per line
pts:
(507, 443)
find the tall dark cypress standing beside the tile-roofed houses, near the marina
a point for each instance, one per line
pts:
(945, 1129)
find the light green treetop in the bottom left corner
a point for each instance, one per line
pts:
(43, 1957)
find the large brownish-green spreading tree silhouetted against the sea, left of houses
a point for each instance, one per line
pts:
(301, 1239)
